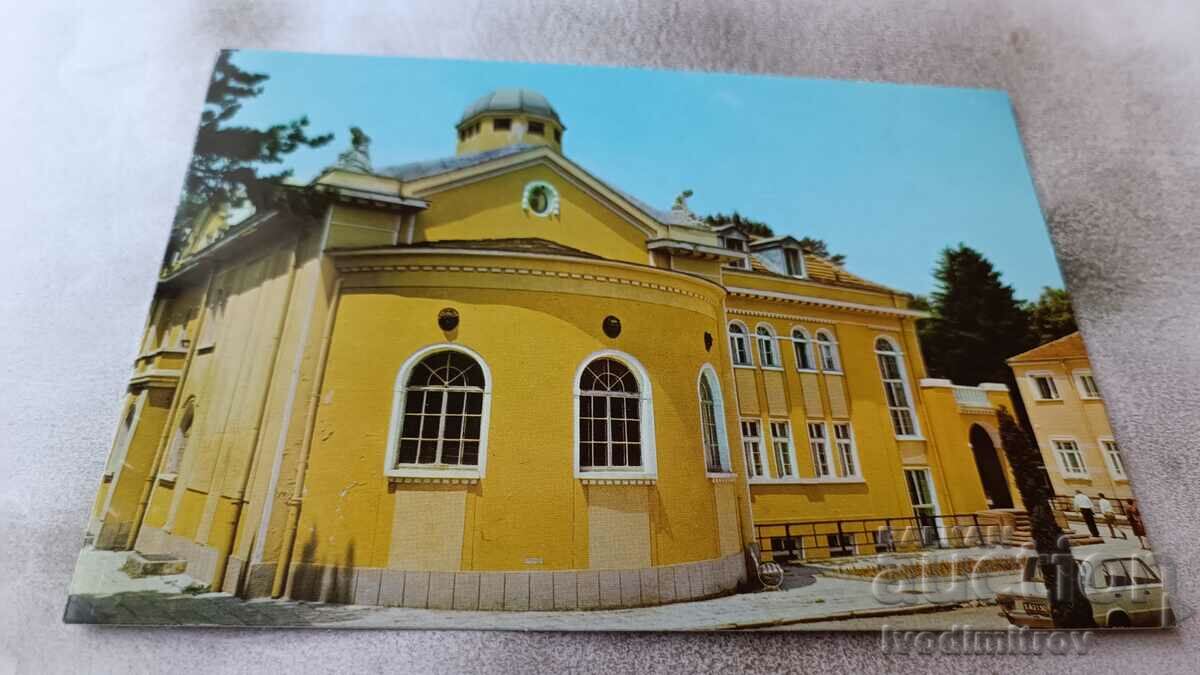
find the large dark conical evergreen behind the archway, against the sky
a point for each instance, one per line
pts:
(977, 324)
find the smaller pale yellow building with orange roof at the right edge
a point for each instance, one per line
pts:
(1070, 420)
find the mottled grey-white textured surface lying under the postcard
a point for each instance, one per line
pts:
(100, 105)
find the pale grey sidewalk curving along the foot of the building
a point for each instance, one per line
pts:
(103, 594)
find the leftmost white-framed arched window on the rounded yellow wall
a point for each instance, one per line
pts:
(442, 401)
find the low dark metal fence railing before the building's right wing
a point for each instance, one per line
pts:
(795, 542)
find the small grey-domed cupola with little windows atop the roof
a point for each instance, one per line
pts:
(508, 117)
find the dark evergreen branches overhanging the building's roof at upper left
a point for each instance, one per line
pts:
(226, 160)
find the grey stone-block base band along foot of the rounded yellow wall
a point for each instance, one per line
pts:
(519, 592)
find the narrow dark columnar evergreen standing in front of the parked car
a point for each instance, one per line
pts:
(1070, 607)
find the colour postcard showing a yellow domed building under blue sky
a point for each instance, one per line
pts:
(514, 347)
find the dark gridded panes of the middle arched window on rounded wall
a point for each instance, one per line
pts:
(610, 417)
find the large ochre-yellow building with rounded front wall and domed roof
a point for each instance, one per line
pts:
(495, 381)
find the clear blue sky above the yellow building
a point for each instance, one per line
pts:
(886, 175)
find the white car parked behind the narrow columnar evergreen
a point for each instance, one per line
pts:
(1124, 592)
